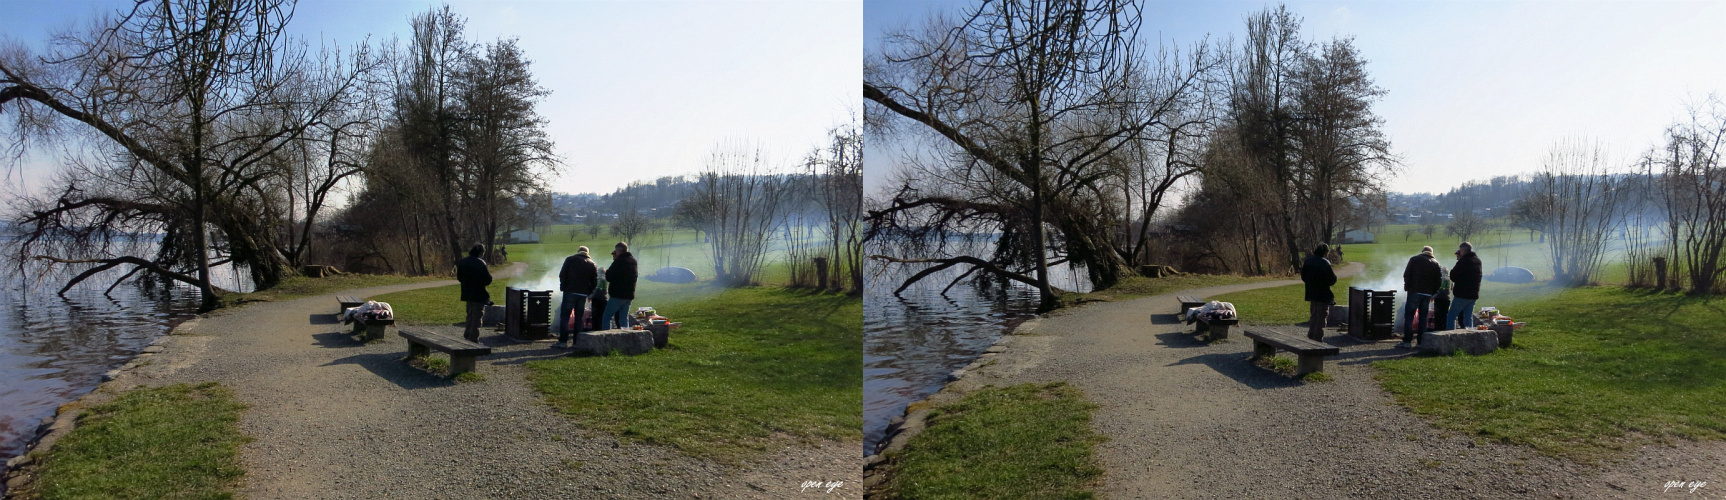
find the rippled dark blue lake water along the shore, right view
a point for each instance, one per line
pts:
(914, 341)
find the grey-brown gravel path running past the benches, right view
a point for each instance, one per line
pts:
(1187, 420)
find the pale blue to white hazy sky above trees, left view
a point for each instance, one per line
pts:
(639, 89)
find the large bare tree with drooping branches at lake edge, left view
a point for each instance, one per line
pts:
(191, 101)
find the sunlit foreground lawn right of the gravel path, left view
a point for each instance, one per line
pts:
(752, 368)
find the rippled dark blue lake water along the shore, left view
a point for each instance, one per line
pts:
(54, 351)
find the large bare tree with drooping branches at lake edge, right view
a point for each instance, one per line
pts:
(1033, 101)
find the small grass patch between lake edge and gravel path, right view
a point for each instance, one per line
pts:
(1017, 442)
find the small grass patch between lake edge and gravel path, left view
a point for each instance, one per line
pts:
(172, 442)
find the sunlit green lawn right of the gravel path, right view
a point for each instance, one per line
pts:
(1597, 372)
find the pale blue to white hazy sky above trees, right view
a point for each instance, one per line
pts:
(1475, 89)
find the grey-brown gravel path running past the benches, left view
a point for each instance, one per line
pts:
(336, 418)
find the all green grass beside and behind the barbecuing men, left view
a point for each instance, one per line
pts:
(752, 368)
